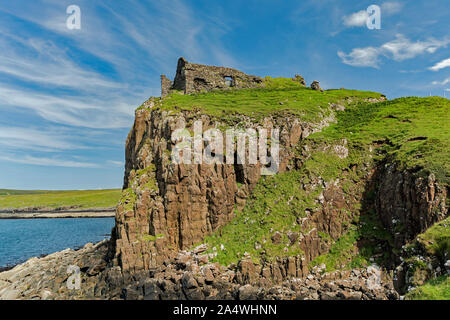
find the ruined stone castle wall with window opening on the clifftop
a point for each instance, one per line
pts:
(195, 78)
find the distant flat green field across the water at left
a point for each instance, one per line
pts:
(54, 199)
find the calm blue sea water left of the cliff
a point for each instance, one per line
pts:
(21, 239)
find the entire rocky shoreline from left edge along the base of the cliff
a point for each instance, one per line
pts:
(188, 276)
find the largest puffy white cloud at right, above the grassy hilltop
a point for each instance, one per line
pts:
(398, 49)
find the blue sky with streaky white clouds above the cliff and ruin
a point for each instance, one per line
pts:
(67, 97)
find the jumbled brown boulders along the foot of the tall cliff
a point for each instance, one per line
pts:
(189, 276)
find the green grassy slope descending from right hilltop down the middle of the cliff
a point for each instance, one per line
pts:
(399, 121)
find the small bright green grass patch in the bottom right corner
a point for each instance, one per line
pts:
(436, 289)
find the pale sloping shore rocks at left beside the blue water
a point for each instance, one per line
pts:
(46, 278)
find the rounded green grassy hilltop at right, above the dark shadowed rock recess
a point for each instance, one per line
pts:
(417, 131)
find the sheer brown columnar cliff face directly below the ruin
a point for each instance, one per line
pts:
(168, 206)
